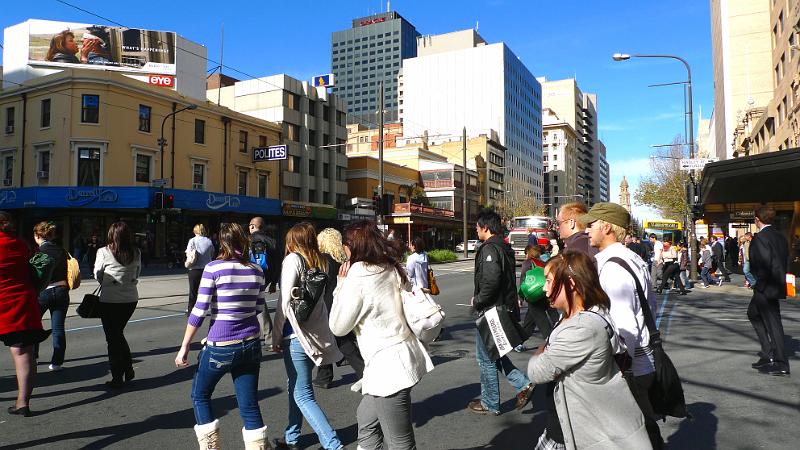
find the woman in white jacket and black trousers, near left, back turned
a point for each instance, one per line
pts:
(117, 268)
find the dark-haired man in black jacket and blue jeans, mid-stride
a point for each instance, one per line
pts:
(495, 285)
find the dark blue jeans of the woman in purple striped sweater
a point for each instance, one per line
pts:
(243, 361)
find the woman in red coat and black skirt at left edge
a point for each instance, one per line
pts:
(20, 320)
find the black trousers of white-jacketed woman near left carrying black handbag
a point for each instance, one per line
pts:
(114, 317)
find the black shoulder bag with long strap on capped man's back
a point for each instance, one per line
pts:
(666, 393)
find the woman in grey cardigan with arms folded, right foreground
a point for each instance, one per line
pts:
(595, 406)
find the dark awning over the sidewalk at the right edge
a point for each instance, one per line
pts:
(769, 177)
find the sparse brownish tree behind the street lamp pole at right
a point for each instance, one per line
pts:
(665, 188)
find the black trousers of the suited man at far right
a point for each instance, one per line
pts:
(765, 316)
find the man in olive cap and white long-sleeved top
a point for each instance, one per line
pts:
(607, 225)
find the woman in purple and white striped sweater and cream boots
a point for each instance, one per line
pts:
(232, 288)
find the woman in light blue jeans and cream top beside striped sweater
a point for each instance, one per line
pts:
(304, 344)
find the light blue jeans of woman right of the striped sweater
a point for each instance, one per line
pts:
(301, 398)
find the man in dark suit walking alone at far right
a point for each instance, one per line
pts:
(769, 255)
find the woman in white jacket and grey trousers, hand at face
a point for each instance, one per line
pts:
(368, 301)
